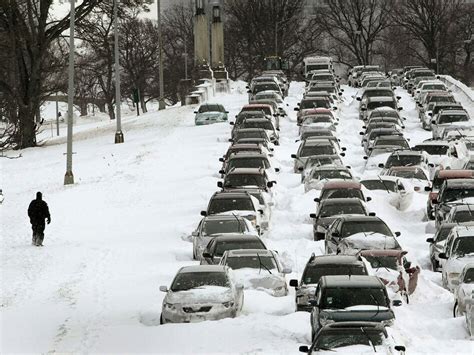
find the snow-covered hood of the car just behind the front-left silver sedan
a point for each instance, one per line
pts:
(255, 278)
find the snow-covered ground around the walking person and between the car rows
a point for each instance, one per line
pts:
(122, 231)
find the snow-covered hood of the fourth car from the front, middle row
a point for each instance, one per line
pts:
(367, 241)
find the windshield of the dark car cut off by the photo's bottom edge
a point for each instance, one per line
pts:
(339, 338)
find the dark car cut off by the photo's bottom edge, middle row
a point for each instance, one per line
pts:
(355, 338)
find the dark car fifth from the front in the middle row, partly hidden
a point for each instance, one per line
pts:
(330, 209)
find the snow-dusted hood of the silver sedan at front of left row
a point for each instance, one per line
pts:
(205, 294)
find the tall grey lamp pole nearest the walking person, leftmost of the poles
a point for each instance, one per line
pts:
(69, 177)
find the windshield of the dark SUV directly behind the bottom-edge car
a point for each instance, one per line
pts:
(340, 298)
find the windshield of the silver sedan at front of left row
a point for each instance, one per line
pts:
(188, 280)
